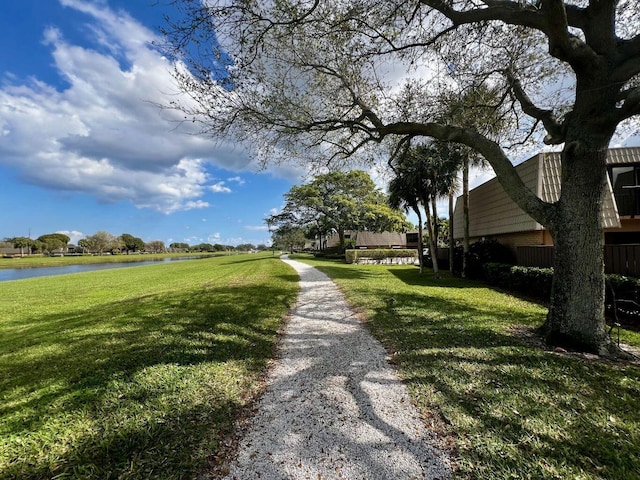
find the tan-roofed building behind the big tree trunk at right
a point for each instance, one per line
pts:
(493, 215)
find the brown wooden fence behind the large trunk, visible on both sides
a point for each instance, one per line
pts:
(620, 259)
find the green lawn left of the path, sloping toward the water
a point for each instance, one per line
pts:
(135, 372)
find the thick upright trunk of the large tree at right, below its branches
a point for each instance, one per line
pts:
(576, 314)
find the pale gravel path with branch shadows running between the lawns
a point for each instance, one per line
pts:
(334, 408)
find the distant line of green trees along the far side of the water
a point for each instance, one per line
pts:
(103, 242)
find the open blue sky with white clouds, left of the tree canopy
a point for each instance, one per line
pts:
(83, 146)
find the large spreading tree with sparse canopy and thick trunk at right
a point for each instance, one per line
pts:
(320, 78)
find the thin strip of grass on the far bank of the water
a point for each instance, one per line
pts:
(46, 261)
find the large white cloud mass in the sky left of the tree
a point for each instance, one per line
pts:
(104, 134)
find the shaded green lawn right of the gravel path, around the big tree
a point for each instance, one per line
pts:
(511, 410)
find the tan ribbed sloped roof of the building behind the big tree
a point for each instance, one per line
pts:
(492, 212)
